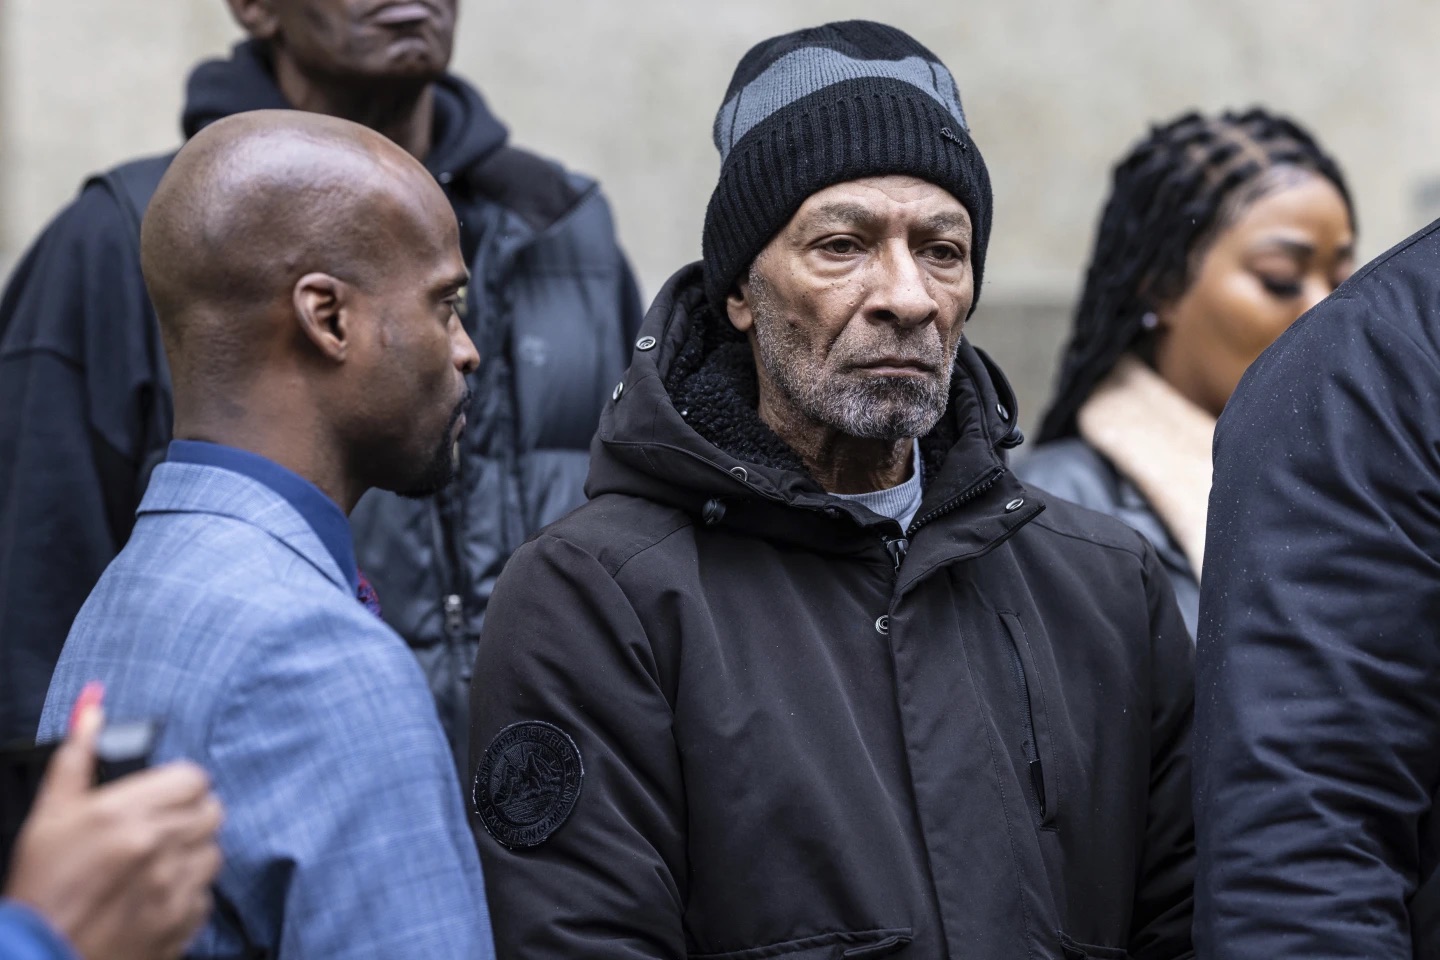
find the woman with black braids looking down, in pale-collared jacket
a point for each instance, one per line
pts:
(1218, 235)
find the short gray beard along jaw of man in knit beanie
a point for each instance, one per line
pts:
(869, 408)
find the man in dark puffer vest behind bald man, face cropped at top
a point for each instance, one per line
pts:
(86, 401)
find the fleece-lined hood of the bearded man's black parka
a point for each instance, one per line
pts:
(683, 430)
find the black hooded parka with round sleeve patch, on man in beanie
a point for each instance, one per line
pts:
(729, 716)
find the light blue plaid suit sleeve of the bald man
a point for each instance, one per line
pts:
(346, 836)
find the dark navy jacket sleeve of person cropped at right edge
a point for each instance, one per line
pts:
(1318, 716)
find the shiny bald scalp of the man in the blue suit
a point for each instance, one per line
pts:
(258, 201)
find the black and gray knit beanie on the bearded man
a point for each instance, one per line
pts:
(819, 107)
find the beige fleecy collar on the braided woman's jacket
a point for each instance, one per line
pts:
(1160, 441)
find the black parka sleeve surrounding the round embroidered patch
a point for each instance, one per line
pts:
(562, 646)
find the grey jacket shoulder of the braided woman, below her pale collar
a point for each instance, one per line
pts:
(1076, 471)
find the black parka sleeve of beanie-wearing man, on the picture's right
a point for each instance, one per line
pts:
(1164, 906)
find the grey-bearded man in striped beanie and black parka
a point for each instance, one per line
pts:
(813, 674)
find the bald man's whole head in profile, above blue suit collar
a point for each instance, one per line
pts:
(306, 273)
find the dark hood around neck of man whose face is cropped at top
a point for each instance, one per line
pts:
(466, 132)
